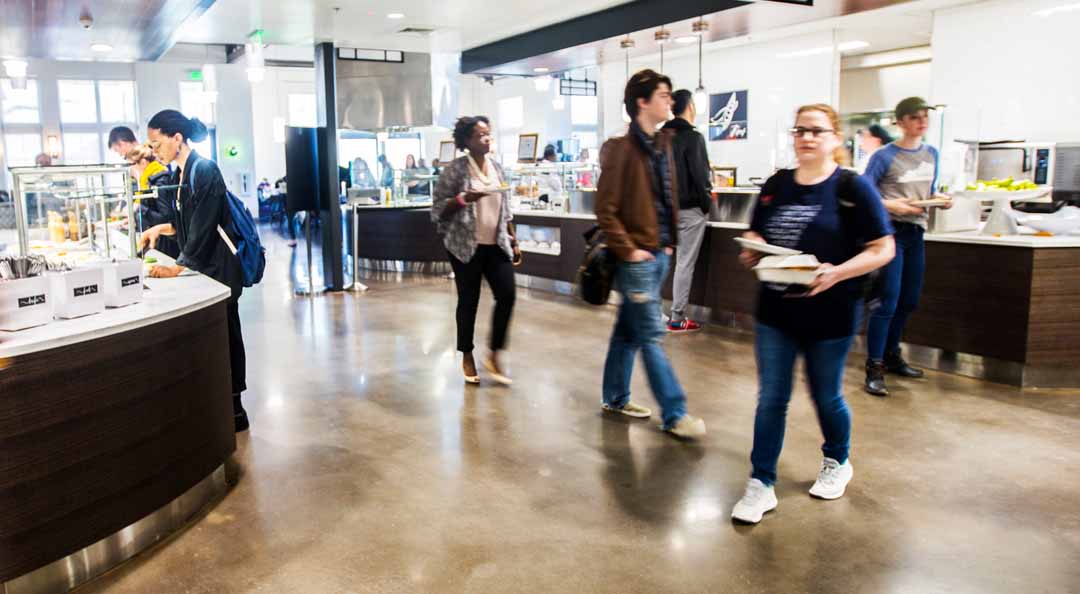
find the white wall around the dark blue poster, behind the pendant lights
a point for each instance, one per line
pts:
(777, 88)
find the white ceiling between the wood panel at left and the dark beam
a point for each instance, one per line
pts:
(460, 24)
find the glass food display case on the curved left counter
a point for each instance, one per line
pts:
(73, 213)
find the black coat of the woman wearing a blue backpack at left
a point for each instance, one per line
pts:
(199, 213)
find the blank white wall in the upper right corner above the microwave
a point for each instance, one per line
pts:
(1005, 73)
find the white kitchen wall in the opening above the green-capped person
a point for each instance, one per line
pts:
(882, 89)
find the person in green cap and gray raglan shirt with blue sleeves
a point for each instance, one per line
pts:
(904, 171)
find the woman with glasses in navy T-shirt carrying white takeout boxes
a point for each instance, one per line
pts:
(821, 210)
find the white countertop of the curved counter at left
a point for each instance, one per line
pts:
(167, 299)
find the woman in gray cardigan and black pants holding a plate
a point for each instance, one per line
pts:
(471, 211)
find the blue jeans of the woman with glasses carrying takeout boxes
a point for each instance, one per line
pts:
(776, 352)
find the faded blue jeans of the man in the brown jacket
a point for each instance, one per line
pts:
(639, 328)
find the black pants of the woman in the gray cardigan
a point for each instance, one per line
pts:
(493, 264)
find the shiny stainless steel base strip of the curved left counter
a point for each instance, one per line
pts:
(84, 566)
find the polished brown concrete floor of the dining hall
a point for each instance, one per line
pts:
(371, 468)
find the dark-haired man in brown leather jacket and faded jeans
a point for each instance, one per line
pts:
(638, 210)
